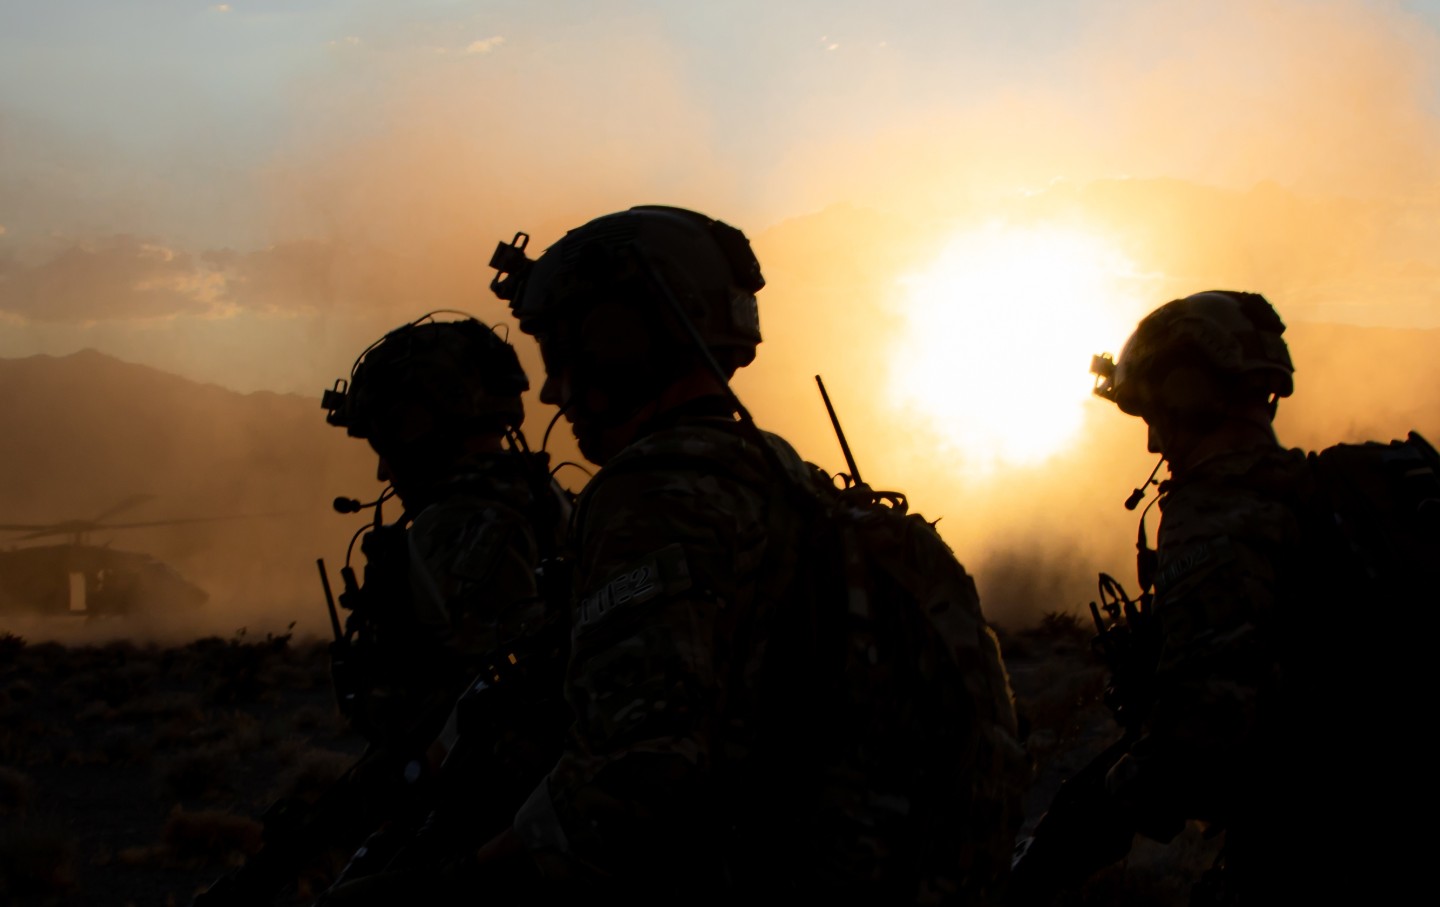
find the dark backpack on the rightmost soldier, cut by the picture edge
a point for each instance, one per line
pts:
(1377, 506)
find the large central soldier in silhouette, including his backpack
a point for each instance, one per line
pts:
(754, 723)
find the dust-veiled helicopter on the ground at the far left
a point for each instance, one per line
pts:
(89, 581)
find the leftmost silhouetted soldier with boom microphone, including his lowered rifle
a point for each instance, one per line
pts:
(451, 604)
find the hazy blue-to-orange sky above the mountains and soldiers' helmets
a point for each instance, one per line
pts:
(248, 192)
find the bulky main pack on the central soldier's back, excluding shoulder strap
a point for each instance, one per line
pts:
(909, 702)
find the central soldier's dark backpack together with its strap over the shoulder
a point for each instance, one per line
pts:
(875, 742)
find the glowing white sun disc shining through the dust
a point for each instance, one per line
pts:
(999, 336)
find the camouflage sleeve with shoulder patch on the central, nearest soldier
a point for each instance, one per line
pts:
(663, 559)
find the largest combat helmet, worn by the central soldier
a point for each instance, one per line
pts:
(650, 256)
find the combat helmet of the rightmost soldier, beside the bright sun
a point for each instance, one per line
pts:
(1232, 335)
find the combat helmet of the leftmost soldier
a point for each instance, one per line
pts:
(430, 382)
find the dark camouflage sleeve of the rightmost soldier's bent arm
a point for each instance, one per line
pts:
(1222, 562)
